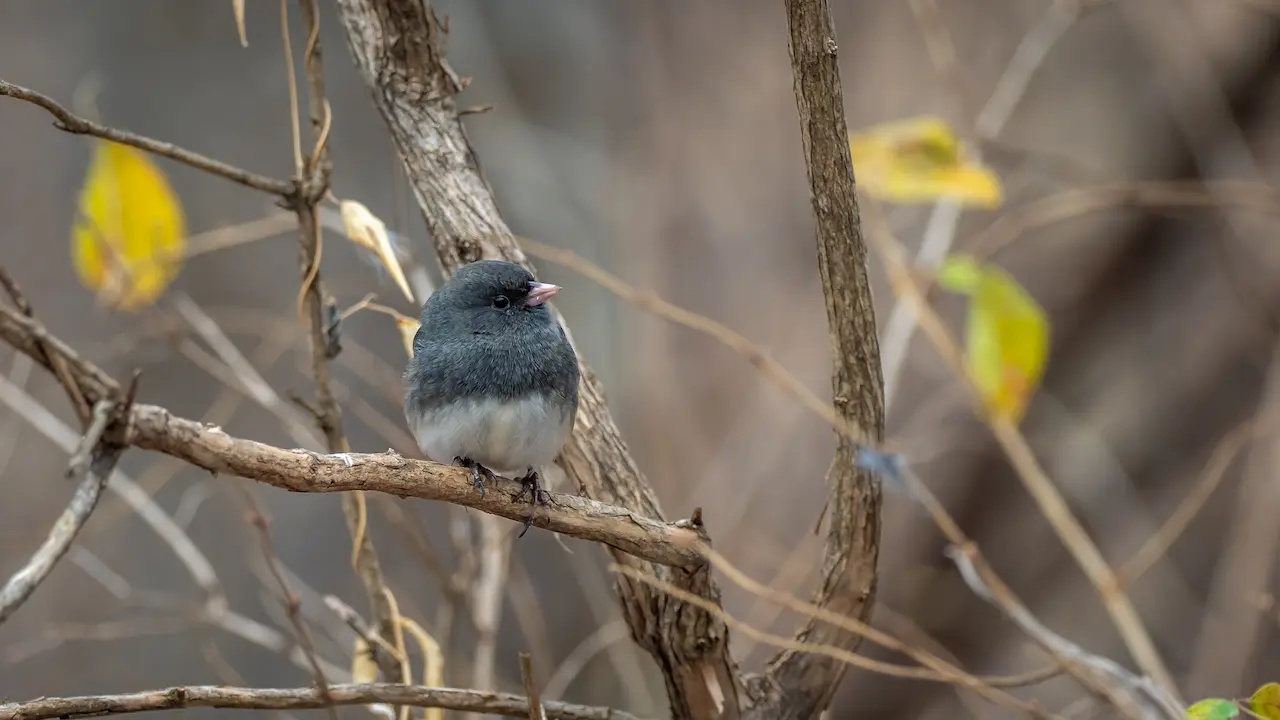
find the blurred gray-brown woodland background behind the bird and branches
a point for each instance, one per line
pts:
(660, 140)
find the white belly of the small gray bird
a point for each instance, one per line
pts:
(508, 438)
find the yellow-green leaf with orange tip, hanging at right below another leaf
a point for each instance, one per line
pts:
(1007, 335)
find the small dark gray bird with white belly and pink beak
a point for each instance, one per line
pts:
(493, 380)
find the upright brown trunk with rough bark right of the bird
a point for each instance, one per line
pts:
(806, 683)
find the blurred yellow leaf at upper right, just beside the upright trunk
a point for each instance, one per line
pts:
(921, 161)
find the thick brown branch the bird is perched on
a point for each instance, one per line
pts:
(303, 471)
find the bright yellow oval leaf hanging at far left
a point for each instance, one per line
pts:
(130, 236)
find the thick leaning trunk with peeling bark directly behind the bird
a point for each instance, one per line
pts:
(399, 49)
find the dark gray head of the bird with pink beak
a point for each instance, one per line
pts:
(490, 298)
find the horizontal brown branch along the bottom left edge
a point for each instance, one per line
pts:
(298, 699)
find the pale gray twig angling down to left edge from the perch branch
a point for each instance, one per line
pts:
(25, 582)
